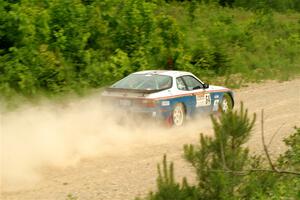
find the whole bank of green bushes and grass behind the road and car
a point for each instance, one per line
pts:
(53, 47)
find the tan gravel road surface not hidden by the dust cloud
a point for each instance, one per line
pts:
(128, 169)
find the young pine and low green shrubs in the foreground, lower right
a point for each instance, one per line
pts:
(225, 169)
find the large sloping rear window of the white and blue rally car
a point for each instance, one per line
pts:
(144, 82)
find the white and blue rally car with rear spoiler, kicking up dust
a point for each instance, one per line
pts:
(170, 96)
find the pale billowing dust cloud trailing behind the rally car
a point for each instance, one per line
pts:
(60, 134)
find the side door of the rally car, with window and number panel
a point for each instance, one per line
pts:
(202, 97)
